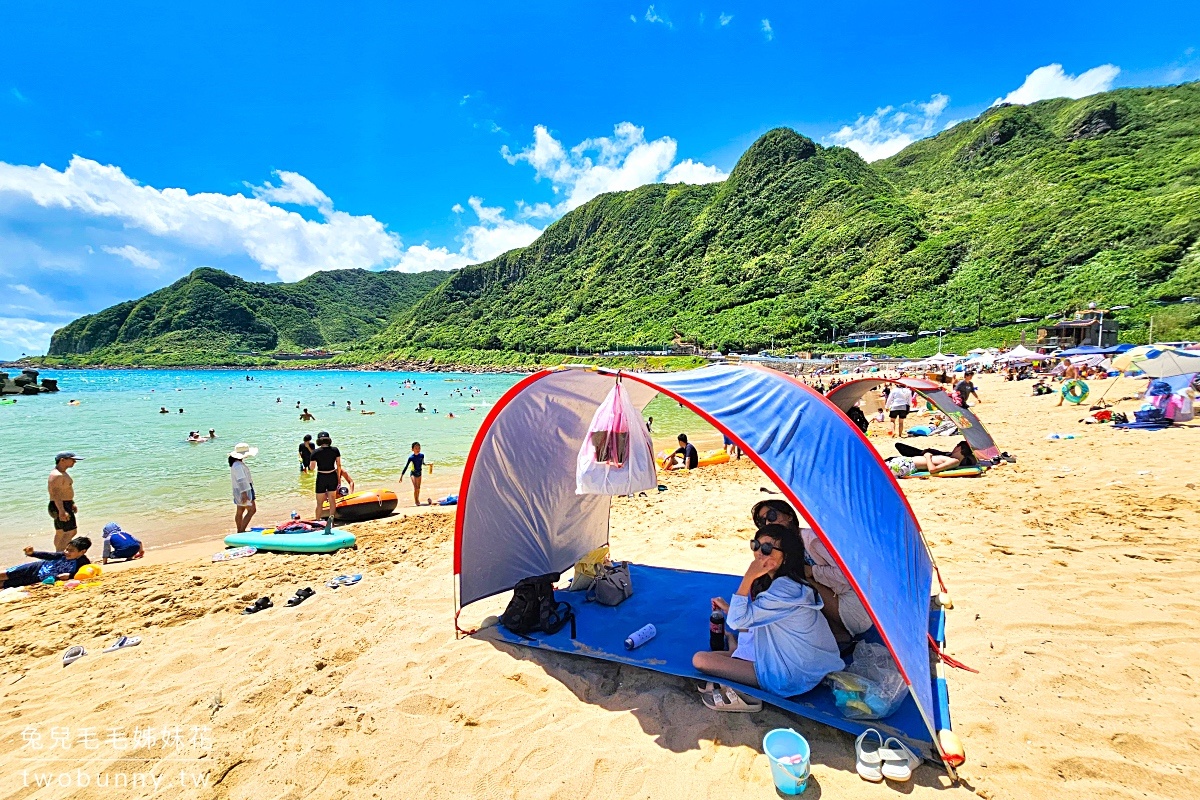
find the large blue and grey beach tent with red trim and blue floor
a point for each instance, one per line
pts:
(519, 516)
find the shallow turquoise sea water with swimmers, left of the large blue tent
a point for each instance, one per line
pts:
(140, 471)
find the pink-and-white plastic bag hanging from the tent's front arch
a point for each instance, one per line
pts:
(617, 456)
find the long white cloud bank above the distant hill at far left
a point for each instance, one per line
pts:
(279, 240)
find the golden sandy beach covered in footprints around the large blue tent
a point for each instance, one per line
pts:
(1075, 576)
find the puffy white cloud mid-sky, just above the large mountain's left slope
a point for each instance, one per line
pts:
(621, 163)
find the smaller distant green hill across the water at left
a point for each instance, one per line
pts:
(214, 318)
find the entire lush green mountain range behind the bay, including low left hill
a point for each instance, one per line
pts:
(1023, 212)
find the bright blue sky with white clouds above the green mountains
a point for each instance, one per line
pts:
(274, 140)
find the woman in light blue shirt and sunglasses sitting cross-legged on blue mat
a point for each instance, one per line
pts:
(784, 643)
